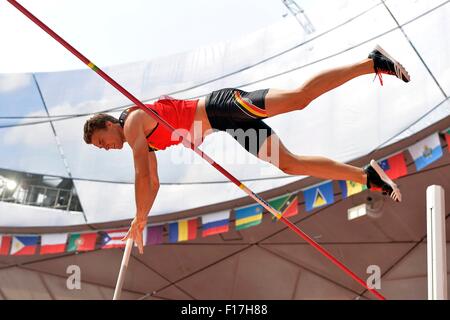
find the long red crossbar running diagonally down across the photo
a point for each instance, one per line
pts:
(189, 144)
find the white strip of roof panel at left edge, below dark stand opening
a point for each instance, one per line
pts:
(17, 215)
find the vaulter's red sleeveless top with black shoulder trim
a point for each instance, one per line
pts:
(178, 113)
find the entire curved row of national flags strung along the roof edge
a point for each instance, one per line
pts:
(423, 153)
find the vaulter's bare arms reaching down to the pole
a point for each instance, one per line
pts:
(146, 179)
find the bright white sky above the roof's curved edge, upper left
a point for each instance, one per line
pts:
(112, 32)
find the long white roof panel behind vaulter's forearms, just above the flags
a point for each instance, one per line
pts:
(103, 202)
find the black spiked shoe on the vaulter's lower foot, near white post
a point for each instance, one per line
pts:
(376, 177)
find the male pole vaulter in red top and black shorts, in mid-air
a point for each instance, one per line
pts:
(229, 109)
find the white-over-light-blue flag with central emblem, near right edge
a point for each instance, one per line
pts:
(426, 151)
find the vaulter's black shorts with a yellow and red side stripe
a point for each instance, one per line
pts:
(240, 114)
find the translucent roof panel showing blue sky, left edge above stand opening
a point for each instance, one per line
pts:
(26, 148)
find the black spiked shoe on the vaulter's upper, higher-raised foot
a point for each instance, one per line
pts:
(384, 63)
